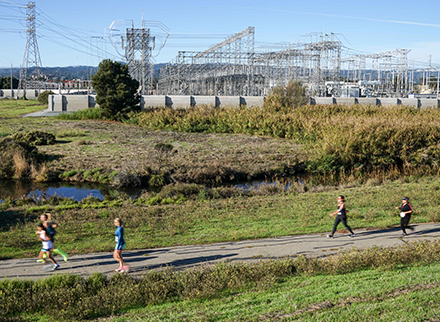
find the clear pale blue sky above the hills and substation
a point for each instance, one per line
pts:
(73, 33)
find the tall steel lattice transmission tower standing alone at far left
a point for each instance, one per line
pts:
(31, 57)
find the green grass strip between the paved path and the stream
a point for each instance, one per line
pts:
(199, 222)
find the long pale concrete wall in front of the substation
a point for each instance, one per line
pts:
(80, 102)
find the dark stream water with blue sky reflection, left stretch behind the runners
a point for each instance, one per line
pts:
(76, 191)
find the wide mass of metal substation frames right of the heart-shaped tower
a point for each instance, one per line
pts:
(233, 67)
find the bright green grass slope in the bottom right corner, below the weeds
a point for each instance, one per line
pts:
(407, 294)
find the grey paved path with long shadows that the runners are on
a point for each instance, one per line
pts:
(188, 256)
